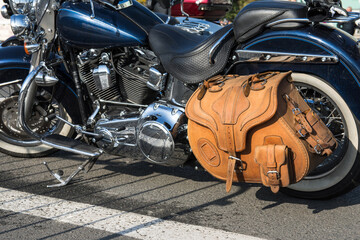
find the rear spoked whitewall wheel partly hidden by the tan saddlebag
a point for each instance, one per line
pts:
(339, 172)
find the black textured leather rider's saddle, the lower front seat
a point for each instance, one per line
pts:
(186, 55)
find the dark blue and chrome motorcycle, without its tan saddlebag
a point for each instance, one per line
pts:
(106, 76)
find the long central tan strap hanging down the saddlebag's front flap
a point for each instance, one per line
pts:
(230, 142)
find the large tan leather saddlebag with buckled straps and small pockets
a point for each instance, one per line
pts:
(256, 128)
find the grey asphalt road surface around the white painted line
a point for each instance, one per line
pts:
(177, 194)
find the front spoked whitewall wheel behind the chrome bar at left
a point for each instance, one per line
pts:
(13, 140)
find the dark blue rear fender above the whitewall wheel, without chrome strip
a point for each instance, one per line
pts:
(320, 39)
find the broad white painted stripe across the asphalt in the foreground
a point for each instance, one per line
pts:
(110, 220)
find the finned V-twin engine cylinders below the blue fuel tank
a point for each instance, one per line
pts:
(125, 75)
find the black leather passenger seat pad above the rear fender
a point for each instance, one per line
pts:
(253, 18)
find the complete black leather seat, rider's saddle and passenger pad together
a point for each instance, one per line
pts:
(186, 55)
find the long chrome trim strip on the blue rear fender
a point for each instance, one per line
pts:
(264, 56)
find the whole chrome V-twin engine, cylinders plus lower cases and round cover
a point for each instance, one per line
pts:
(125, 85)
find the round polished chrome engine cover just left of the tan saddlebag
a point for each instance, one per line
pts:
(161, 135)
